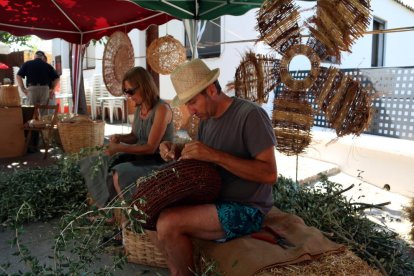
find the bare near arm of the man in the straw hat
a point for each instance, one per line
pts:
(262, 168)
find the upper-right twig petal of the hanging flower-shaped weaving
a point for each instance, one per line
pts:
(338, 24)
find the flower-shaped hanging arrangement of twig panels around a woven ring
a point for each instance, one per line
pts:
(333, 29)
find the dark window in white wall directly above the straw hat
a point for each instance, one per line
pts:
(208, 46)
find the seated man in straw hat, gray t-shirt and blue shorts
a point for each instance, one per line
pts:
(237, 136)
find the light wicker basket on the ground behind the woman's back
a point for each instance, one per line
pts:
(80, 132)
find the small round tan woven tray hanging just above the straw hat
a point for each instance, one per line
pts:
(165, 54)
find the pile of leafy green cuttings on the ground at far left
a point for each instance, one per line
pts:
(41, 193)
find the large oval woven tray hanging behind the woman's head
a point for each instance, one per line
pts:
(117, 59)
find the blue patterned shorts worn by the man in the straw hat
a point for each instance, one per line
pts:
(238, 219)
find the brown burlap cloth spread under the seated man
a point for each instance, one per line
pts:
(248, 256)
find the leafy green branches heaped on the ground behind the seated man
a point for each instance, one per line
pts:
(325, 207)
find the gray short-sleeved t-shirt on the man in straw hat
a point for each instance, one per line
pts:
(244, 130)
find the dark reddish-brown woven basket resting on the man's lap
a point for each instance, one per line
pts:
(182, 182)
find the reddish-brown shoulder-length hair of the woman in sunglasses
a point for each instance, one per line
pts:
(139, 77)
